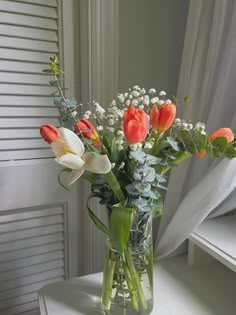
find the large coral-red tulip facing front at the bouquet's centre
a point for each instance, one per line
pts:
(135, 125)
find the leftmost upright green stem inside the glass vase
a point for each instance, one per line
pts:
(109, 268)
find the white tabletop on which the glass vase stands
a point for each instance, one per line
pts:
(179, 290)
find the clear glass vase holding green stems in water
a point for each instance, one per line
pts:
(128, 279)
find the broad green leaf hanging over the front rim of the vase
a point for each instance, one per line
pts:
(120, 226)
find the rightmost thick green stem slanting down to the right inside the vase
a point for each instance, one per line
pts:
(136, 280)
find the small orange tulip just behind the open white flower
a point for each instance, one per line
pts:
(87, 130)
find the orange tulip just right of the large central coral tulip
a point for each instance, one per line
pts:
(162, 118)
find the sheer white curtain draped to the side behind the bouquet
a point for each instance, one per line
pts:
(203, 188)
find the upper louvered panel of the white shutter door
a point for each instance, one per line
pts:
(29, 35)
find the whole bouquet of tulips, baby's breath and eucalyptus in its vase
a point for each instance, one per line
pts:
(125, 151)
